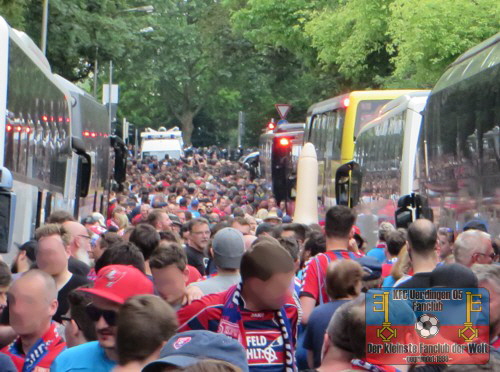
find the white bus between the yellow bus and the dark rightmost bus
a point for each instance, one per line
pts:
(385, 152)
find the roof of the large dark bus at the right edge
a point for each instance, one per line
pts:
(481, 57)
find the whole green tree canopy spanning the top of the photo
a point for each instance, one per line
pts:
(197, 63)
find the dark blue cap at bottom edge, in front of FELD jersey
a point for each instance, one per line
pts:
(188, 348)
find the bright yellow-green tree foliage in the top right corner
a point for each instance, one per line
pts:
(427, 35)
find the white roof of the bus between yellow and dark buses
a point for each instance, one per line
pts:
(414, 101)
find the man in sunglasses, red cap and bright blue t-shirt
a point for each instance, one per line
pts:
(113, 286)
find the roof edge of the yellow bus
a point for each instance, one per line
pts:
(359, 95)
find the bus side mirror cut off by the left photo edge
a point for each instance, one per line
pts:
(8, 206)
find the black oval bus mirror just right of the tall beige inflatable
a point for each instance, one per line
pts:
(348, 180)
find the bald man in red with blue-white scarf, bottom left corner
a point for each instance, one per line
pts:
(32, 303)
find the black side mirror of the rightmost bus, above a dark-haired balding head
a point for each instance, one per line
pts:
(410, 208)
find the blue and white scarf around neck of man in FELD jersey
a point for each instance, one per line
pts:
(231, 324)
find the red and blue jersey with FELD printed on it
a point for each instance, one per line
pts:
(265, 346)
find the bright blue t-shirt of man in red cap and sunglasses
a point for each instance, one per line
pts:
(87, 357)
